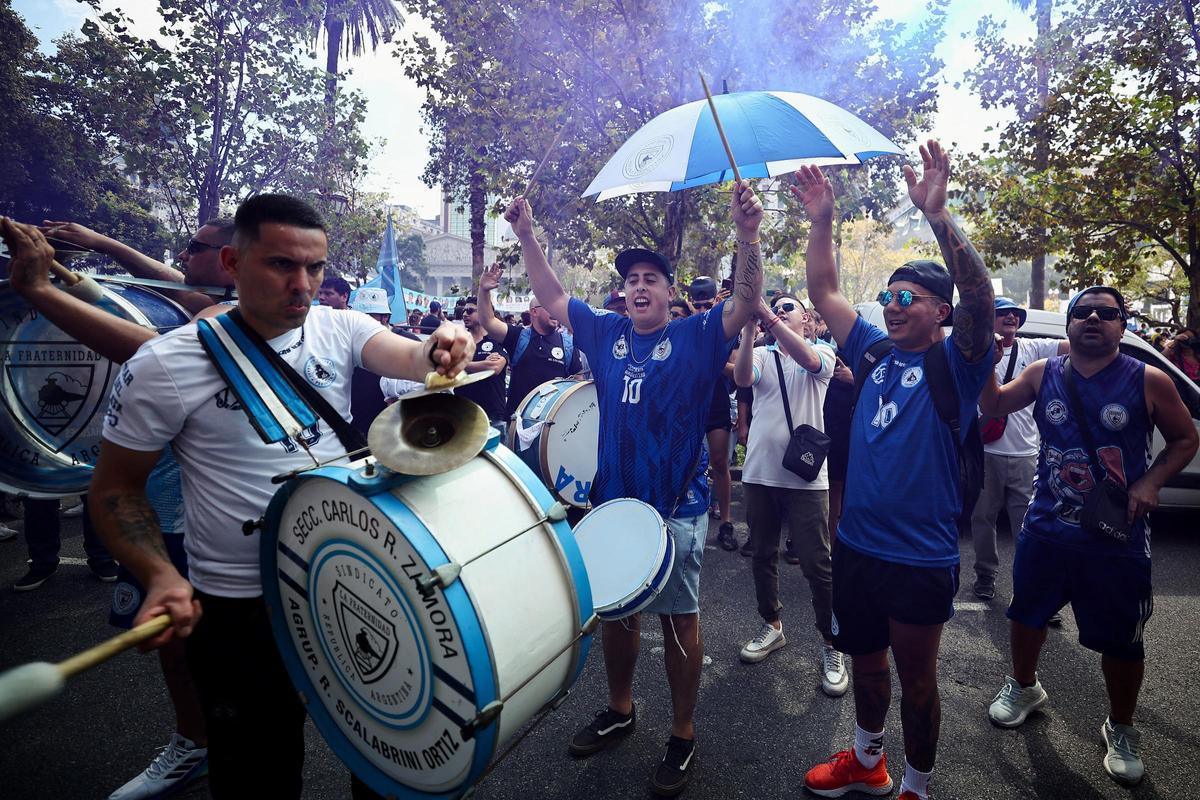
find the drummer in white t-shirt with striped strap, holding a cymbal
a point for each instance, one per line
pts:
(171, 393)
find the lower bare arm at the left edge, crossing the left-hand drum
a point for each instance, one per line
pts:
(113, 338)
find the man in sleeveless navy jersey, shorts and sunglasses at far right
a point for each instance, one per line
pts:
(1060, 557)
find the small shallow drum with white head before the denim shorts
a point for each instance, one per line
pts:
(629, 555)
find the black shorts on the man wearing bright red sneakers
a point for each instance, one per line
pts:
(869, 592)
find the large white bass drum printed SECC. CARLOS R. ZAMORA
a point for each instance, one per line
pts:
(393, 677)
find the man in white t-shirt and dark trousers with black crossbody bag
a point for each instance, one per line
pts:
(776, 496)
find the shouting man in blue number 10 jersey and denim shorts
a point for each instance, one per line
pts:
(655, 381)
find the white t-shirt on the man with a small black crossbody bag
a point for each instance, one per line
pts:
(769, 430)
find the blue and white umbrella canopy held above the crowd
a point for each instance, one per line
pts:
(771, 134)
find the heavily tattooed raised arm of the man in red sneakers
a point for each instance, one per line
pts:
(975, 317)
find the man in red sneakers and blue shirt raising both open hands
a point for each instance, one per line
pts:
(897, 556)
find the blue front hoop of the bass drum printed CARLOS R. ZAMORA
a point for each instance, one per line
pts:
(470, 628)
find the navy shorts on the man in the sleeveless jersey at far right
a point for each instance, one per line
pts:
(1111, 597)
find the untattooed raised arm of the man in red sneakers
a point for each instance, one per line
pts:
(815, 191)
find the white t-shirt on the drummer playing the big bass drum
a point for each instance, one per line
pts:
(171, 393)
